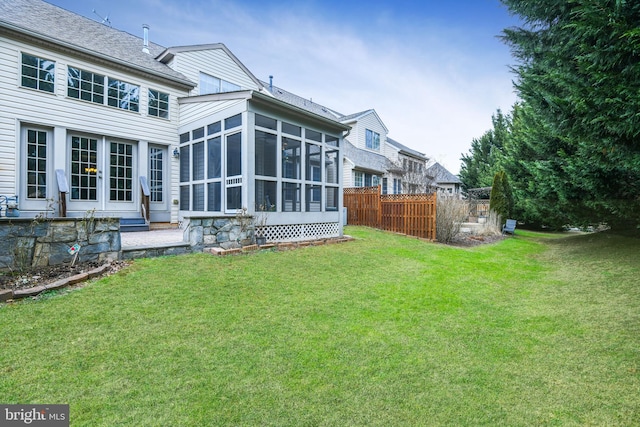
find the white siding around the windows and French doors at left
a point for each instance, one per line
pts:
(56, 110)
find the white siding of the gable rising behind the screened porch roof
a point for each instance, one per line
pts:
(214, 62)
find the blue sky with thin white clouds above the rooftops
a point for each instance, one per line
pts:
(433, 70)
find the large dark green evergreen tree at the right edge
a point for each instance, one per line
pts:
(577, 140)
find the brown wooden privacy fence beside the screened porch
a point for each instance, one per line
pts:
(412, 214)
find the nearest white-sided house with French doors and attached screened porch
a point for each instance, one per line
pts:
(106, 113)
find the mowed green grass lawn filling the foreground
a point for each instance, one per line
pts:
(386, 330)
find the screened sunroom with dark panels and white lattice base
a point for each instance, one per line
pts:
(246, 154)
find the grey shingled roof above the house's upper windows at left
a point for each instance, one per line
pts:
(52, 24)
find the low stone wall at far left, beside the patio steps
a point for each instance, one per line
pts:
(29, 243)
